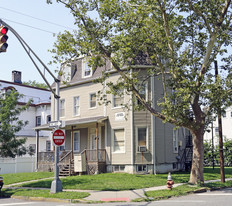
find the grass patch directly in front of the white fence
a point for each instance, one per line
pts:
(21, 177)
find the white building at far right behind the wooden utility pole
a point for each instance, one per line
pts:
(212, 130)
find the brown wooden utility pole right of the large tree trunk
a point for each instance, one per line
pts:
(220, 133)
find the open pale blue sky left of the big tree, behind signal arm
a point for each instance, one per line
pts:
(36, 22)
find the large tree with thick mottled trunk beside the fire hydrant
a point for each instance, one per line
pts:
(181, 39)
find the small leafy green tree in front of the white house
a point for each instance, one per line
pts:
(10, 146)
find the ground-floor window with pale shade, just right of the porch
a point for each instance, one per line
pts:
(119, 140)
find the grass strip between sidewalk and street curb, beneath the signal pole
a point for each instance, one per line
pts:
(44, 194)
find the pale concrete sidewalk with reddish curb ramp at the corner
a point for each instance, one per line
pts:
(127, 195)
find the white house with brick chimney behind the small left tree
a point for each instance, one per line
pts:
(39, 111)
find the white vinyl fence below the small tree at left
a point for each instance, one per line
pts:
(17, 165)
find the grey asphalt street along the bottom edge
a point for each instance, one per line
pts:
(215, 198)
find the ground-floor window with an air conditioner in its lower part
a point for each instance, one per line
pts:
(142, 138)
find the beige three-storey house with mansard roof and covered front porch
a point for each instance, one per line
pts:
(109, 138)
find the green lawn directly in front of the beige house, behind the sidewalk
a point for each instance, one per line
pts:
(123, 181)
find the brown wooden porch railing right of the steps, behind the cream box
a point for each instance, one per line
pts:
(91, 155)
